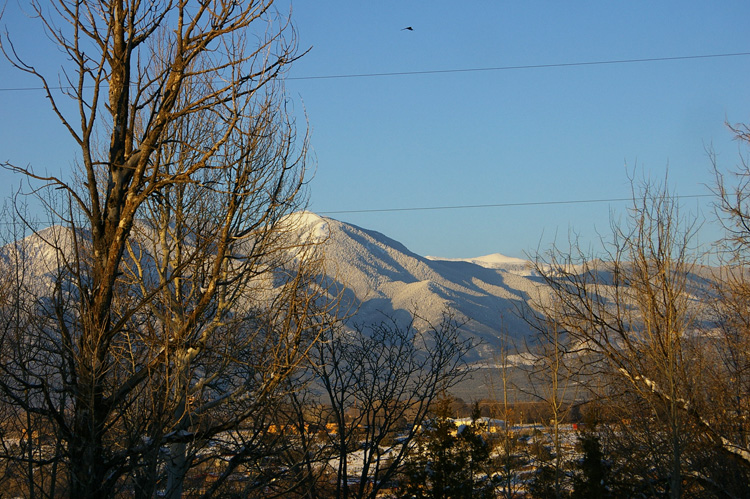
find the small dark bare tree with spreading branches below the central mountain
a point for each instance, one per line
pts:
(377, 383)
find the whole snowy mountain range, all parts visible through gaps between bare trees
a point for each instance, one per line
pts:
(381, 278)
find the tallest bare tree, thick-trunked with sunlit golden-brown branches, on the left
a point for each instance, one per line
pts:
(175, 294)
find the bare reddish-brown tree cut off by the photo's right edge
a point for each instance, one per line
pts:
(727, 359)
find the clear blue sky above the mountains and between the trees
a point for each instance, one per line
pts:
(507, 136)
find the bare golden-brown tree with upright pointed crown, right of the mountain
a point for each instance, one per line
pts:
(633, 317)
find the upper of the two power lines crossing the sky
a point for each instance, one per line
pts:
(469, 70)
